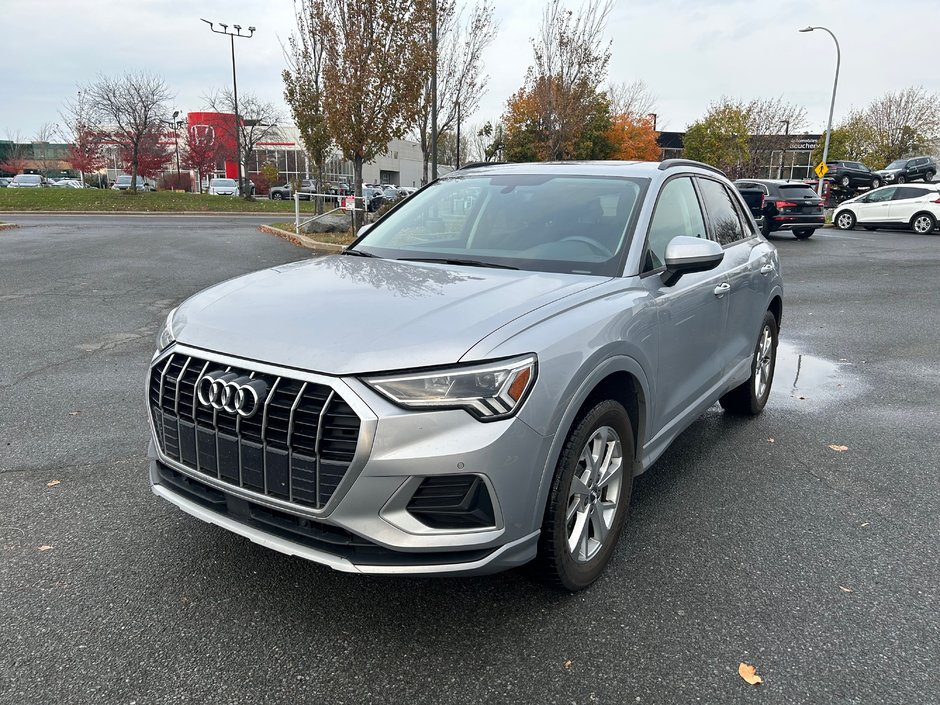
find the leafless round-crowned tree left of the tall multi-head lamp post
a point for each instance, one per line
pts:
(133, 108)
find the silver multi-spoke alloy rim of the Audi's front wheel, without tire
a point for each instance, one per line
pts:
(594, 494)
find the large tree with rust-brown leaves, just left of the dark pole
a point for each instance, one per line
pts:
(375, 64)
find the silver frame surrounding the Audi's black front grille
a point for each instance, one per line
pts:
(367, 426)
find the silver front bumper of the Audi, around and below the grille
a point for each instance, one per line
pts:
(366, 527)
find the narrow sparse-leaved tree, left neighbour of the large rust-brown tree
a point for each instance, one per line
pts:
(303, 90)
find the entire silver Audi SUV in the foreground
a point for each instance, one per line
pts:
(475, 382)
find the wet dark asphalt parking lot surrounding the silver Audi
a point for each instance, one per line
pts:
(750, 540)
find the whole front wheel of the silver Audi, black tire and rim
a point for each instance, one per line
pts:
(604, 426)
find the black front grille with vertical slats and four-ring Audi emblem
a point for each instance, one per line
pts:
(296, 446)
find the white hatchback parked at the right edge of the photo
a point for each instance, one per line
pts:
(914, 207)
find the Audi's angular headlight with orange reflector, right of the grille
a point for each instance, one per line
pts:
(489, 391)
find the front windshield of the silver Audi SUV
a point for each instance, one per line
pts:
(540, 222)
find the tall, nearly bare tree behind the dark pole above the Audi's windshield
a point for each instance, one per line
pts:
(461, 81)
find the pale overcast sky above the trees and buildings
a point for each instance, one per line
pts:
(689, 52)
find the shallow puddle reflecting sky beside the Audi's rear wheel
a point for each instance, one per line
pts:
(807, 380)
